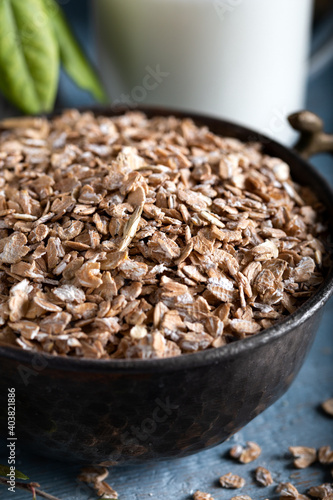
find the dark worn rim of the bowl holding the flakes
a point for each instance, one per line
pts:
(208, 356)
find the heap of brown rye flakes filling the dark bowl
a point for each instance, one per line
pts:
(130, 237)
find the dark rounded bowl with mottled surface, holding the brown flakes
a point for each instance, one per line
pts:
(140, 410)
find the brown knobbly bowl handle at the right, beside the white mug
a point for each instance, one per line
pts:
(313, 139)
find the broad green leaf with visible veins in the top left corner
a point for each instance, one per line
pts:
(29, 58)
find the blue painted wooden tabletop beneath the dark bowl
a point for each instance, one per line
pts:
(294, 420)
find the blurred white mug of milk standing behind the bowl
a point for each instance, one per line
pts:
(243, 60)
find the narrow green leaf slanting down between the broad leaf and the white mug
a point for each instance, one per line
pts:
(72, 57)
